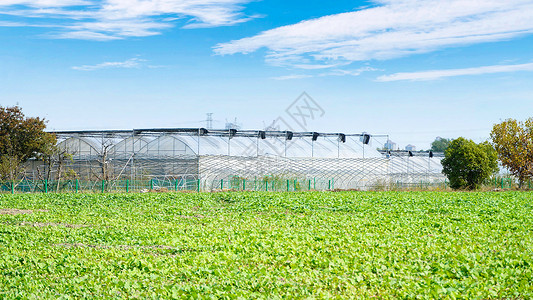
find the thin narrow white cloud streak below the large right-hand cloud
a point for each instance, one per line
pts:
(437, 74)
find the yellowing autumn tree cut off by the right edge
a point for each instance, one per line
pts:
(514, 143)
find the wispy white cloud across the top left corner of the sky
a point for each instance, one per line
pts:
(119, 19)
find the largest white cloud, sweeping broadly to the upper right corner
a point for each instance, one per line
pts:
(394, 28)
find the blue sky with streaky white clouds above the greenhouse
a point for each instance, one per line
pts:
(412, 69)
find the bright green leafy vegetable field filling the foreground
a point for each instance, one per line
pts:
(267, 245)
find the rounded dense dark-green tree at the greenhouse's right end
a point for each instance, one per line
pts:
(467, 164)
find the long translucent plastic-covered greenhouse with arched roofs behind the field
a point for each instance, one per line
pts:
(209, 160)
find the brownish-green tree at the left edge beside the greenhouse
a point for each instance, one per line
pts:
(21, 138)
